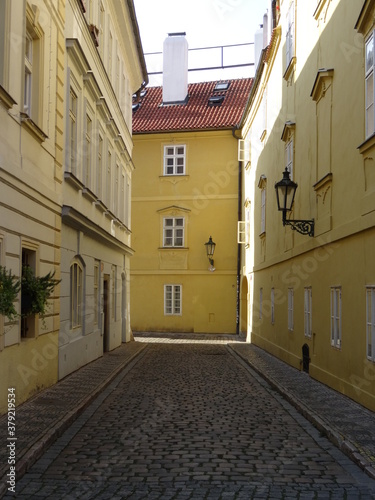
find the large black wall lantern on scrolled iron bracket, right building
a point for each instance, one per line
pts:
(285, 193)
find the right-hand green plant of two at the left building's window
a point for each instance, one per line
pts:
(35, 291)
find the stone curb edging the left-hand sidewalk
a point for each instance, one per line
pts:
(28, 459)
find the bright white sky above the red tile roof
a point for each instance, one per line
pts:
(207, 23)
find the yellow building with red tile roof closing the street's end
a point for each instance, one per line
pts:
(185, 189)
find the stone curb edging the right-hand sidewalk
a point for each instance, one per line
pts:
(344, 444)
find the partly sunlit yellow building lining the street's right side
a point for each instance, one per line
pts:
(311, 298)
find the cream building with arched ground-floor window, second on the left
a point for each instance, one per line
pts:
(104, 67)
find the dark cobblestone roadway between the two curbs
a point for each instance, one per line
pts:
(192, 421)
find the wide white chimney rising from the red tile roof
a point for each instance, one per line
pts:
(175, 68)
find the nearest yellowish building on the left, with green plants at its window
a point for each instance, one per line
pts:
(31, 141)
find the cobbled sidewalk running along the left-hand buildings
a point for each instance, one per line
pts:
(44, 417)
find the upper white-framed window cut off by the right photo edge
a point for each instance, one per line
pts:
(370, 85)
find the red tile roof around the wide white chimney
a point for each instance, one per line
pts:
(151, 116)
